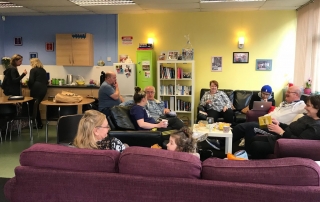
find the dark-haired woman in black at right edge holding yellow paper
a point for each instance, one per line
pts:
(307, 127)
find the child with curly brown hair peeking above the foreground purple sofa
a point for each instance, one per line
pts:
(183, 141)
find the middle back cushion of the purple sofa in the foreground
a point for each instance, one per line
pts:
(159, 163)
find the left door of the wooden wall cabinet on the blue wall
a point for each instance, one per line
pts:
(63, 49)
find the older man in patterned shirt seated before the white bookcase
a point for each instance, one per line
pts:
(157, 110)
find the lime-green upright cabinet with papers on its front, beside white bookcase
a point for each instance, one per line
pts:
(145, 69)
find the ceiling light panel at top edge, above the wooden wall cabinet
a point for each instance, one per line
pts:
(102, 2)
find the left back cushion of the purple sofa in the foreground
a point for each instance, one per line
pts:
(67, 158)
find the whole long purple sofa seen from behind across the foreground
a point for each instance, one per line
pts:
(58, 173)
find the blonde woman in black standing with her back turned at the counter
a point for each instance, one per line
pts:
(37, 84)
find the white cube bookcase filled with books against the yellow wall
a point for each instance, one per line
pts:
(176, 90)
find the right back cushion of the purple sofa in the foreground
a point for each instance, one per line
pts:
(285, 171)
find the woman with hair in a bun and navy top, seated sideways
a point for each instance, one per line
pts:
(141, 117)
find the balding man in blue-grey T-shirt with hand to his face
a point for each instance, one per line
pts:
(109, 94)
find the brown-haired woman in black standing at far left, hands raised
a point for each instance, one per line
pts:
(12, 79)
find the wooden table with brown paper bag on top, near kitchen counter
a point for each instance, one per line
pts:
(48, 103)
